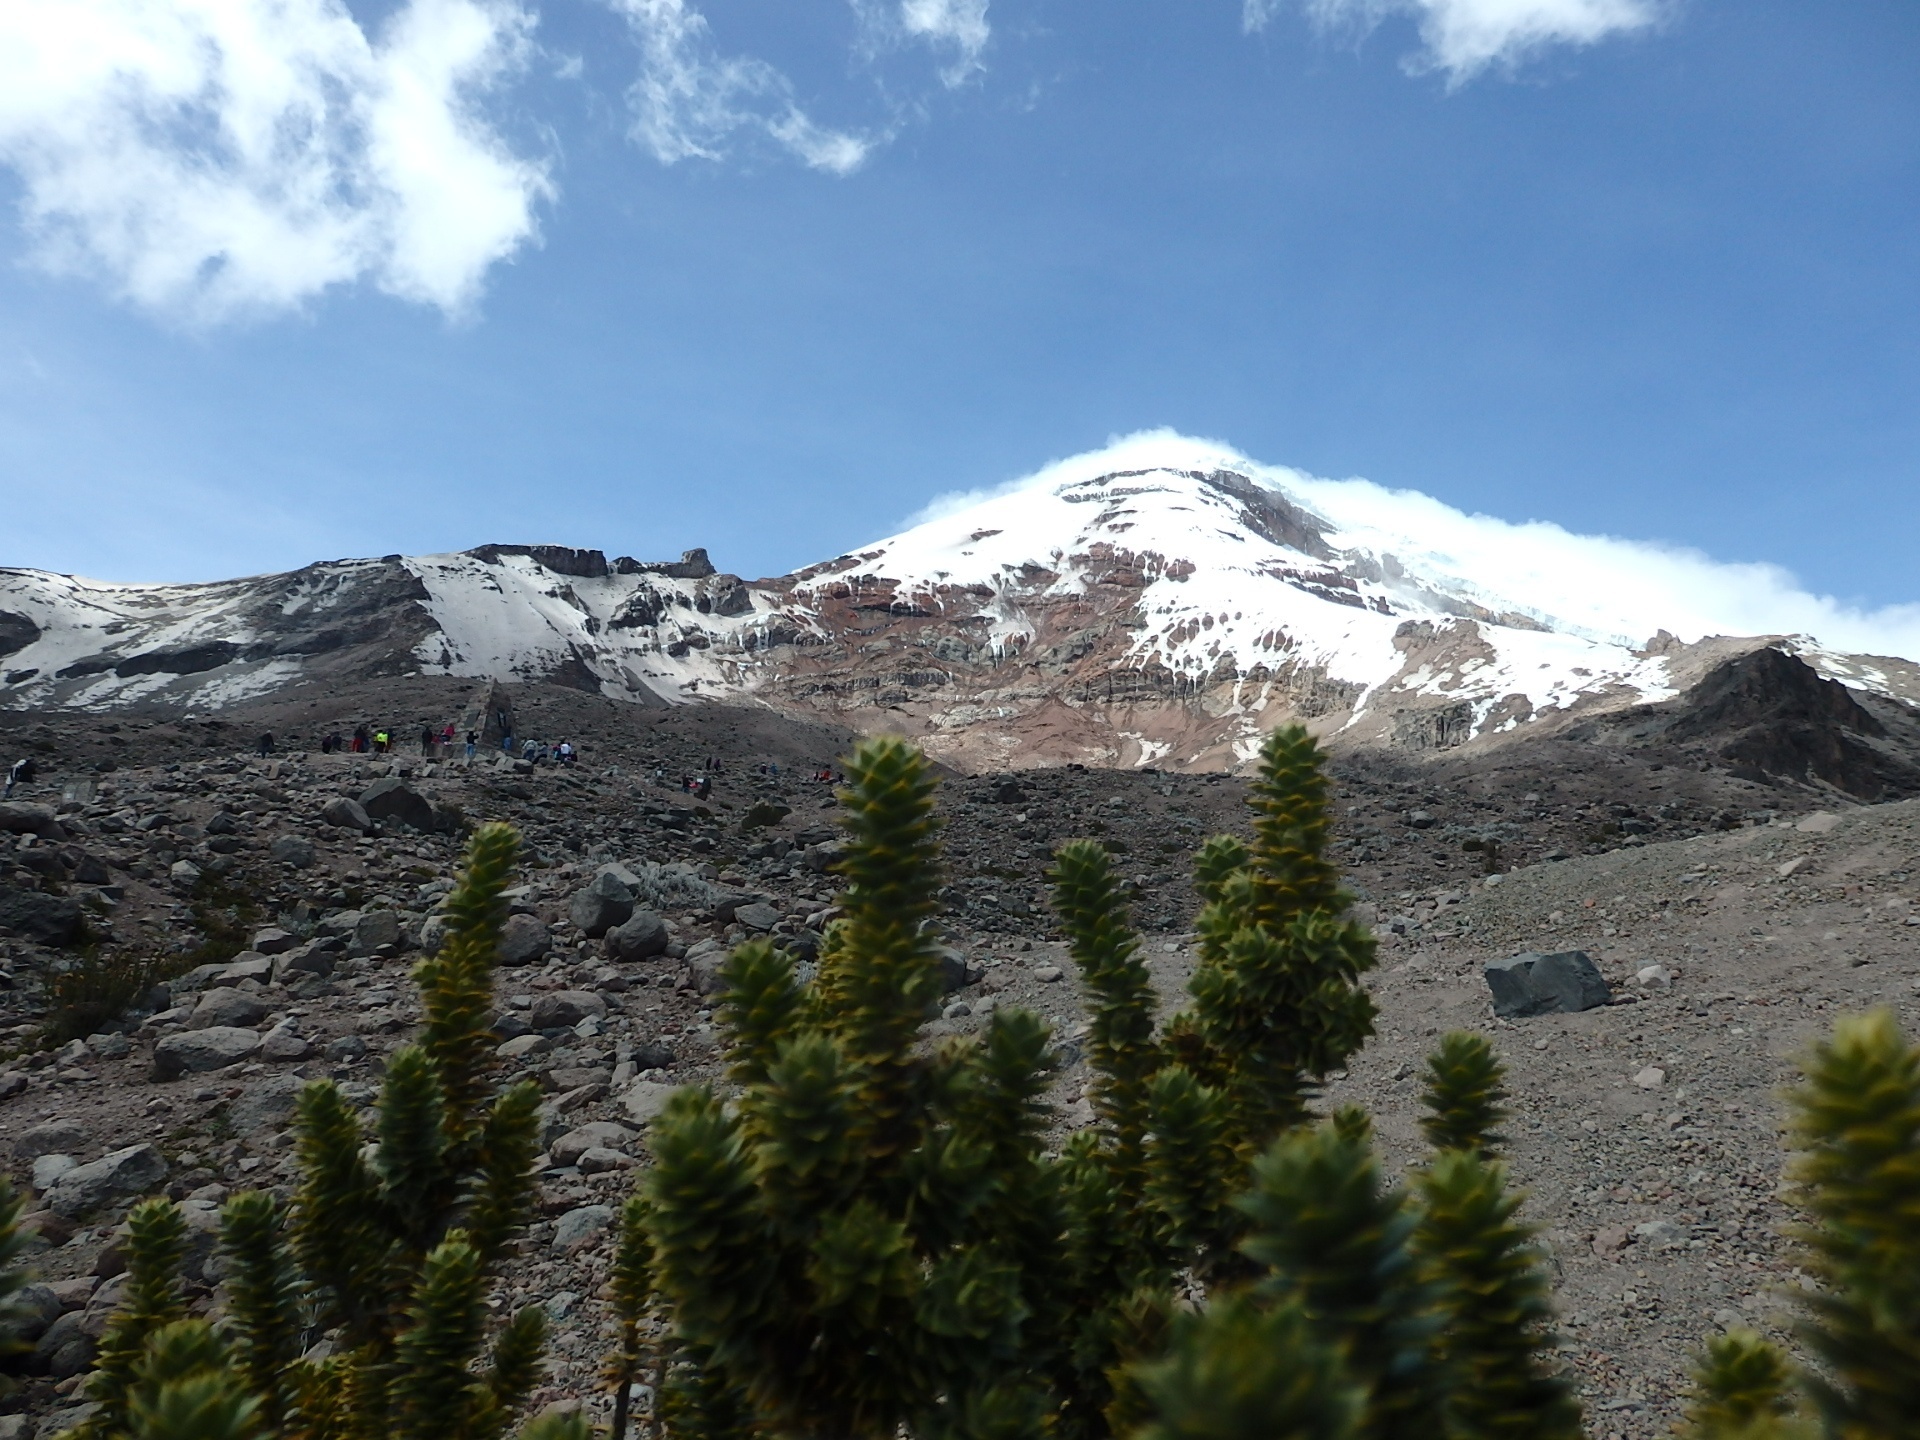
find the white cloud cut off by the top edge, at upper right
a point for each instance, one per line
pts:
(1466, 37)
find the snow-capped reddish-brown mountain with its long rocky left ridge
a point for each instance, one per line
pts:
(1159, 602)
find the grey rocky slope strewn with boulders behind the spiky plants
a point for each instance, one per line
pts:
(287, 900)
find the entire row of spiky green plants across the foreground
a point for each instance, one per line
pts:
(863, 1236)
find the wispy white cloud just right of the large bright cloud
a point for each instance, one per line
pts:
(690, 101)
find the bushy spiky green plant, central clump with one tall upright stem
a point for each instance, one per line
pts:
(861, 1237)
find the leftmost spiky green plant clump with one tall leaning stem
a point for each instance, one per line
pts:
(389, 1249)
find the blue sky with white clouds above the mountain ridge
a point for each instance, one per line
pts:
(1637, 268)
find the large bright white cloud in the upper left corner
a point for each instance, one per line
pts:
(218, 158)
